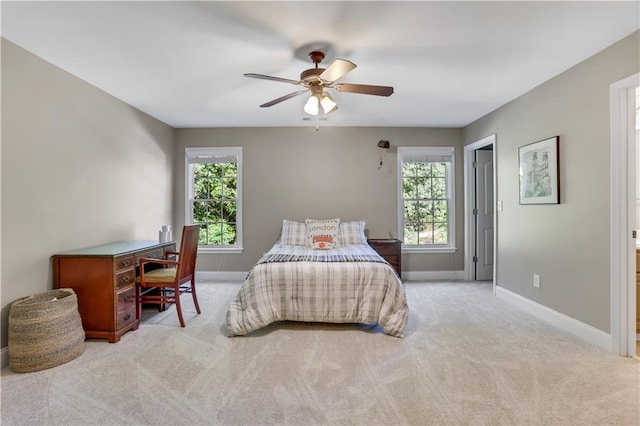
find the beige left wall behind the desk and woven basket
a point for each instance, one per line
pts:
(79, 168)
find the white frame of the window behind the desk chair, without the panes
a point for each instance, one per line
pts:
(191, 155)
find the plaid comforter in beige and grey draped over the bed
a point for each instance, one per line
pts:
(351, 284)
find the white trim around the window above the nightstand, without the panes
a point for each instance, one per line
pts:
(451, 208)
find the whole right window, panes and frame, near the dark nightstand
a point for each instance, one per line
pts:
(425, 199)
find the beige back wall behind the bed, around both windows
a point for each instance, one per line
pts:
(298, 173)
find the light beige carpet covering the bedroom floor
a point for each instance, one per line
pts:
(467, 358)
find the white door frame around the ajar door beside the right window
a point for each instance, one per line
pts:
(469, 197)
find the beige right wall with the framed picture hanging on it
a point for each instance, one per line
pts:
(567, 244)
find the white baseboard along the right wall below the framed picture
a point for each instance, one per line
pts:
(584, 331)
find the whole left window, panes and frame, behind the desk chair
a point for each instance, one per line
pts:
(214, 195)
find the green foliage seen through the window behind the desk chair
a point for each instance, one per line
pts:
(215, 202)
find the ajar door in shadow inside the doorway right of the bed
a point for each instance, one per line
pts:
(484, 215)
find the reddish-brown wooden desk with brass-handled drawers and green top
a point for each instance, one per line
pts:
(104, 279)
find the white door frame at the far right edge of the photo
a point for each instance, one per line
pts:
(623, 192)
